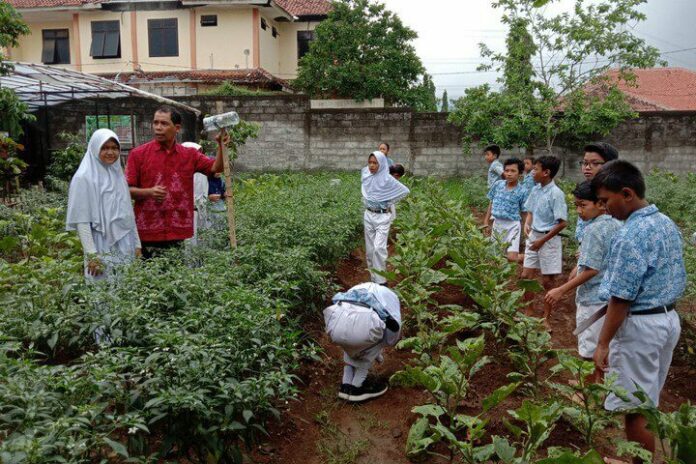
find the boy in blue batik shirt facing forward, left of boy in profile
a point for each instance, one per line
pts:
(506, 205)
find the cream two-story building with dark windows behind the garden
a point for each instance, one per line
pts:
(172, 47)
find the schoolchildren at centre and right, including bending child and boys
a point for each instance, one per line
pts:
(629, 273)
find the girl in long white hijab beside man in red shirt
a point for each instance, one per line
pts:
(100, 208)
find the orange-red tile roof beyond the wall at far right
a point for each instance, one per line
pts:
(661, 89)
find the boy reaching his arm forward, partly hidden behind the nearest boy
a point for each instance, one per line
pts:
(600, 228)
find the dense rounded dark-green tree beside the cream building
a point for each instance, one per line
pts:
(363, 51)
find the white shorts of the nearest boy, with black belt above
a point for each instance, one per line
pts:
(640, 354)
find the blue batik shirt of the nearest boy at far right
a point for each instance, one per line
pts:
(645, 263)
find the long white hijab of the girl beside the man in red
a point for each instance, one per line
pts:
(99, 194)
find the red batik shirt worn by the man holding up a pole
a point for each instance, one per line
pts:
(152, 164)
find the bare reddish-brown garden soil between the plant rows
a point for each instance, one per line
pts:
(319, 428)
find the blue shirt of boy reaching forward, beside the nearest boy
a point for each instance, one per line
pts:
(594, 252)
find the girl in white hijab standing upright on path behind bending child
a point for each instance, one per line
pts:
(380, 191)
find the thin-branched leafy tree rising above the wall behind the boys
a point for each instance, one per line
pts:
(554, 85)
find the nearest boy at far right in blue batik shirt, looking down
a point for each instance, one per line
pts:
(644, 278)
